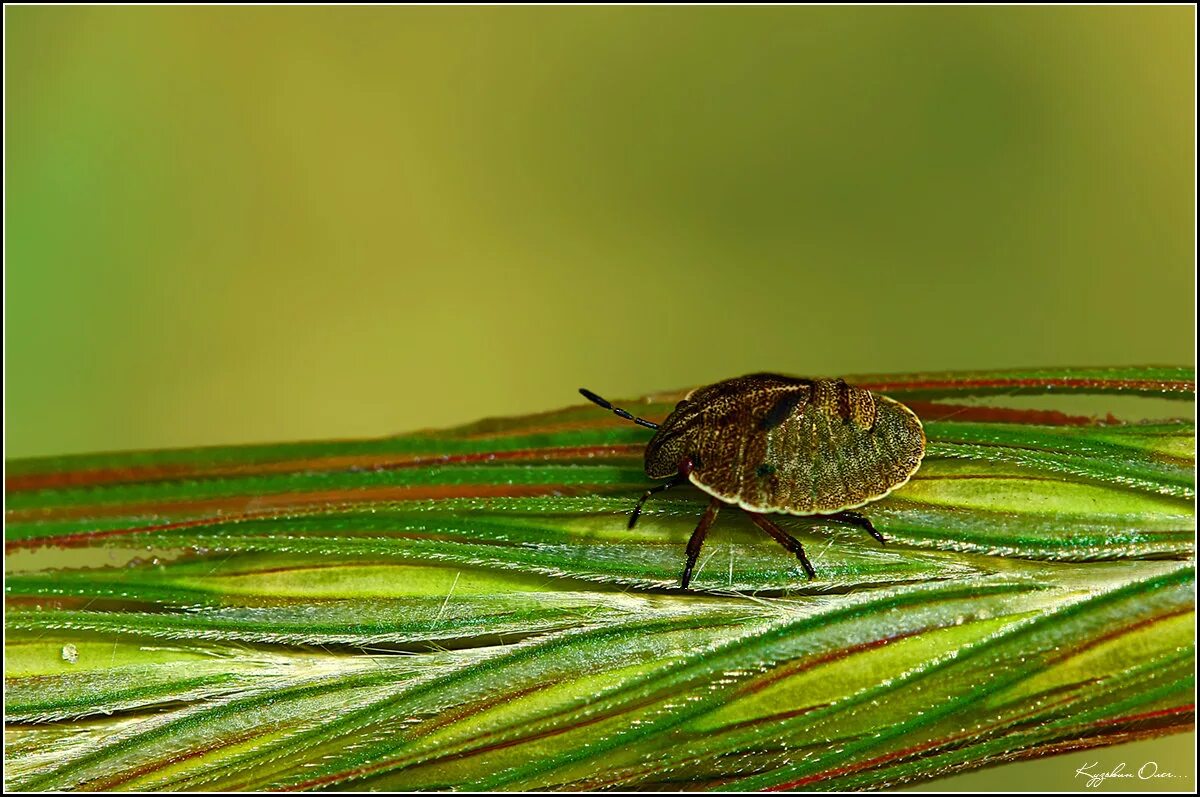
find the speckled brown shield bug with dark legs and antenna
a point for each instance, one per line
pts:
(770, 444)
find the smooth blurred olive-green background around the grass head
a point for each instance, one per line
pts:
(243, 224)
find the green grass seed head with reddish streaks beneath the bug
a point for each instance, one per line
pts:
(467, 609)
